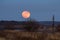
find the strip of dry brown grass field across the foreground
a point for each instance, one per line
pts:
(20, 35)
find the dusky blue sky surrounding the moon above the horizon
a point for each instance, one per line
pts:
(41, 10)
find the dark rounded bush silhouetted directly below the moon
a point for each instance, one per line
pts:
(31, 25)
